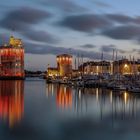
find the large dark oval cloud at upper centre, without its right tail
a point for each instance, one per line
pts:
(85, 23)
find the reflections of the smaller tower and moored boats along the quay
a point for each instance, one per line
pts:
(97, 102)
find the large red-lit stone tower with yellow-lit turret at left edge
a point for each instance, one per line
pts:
(12, 60)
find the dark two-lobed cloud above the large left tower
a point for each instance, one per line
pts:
(22, 21)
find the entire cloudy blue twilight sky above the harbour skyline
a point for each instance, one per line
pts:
(84, 27)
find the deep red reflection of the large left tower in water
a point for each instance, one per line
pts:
(11, 101)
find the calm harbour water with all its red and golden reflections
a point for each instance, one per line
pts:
(34, 110)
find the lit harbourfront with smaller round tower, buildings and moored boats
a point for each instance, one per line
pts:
(119, 75)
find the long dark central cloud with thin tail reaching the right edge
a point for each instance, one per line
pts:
(94, 22)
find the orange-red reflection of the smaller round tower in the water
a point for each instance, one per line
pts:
(64, 96)
